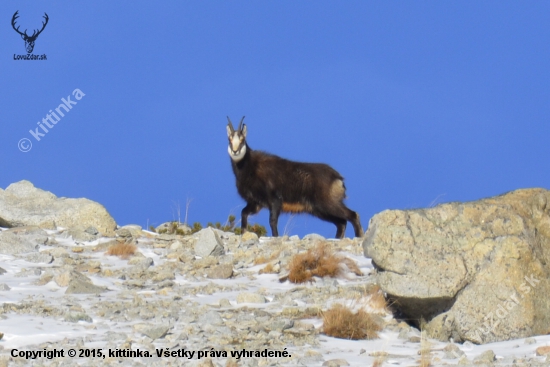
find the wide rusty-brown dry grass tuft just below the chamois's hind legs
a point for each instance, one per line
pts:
(319, 261)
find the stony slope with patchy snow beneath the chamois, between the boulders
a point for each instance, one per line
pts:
(59, 293)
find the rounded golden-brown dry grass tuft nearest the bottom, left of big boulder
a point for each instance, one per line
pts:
(341, 322)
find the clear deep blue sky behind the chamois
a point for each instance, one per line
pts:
(414, 103)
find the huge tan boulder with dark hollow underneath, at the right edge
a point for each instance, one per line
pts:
(476, 271)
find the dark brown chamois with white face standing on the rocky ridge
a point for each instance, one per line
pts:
(267, 181)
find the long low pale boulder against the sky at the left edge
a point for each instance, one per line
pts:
(22, 204)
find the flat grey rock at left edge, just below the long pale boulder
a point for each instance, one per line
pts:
(22, 240)
